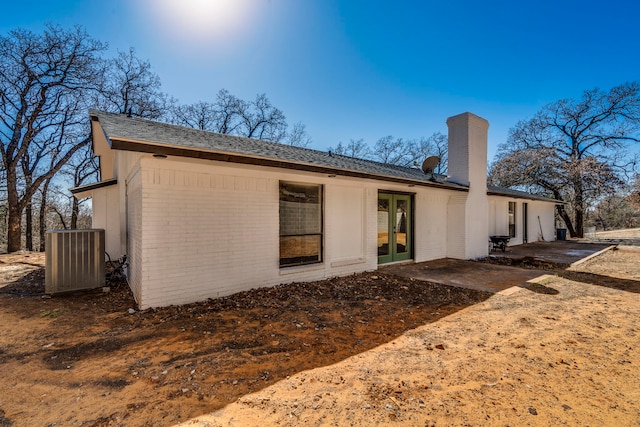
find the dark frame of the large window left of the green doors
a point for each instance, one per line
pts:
(319, 234)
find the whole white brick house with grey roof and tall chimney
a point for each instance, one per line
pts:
(202, 215)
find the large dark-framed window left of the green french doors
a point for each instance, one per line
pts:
(300, 224)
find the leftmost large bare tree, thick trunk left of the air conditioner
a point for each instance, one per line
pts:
(43, 83)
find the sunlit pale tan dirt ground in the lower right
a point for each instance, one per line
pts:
(566, 351)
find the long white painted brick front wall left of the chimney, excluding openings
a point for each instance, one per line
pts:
(209, 229)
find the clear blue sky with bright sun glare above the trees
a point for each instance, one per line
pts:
(353, 69)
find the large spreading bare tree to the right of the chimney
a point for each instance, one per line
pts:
(573, 150)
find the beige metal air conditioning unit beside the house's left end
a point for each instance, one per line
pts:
(74, 260)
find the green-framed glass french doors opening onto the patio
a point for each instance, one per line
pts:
(394, 227)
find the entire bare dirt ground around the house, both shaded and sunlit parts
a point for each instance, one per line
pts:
(369, 349)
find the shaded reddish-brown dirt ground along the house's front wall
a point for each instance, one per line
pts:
(91, 360)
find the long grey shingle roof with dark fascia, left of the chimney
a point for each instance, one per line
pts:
(122, 129)
